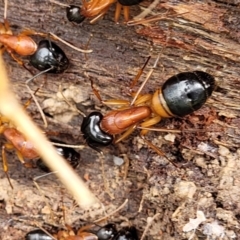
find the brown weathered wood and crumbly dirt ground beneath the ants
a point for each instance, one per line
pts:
(199, 199)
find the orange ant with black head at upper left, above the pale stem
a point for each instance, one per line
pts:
(46, 55)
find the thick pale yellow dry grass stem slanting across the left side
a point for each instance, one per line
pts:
(10, 108)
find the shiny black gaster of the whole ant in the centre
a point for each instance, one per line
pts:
(186, 92)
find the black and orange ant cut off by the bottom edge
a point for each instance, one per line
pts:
(107, 232)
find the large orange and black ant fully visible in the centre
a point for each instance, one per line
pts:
(180, 95)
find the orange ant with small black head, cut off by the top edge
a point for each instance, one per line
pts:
(96, 9)
